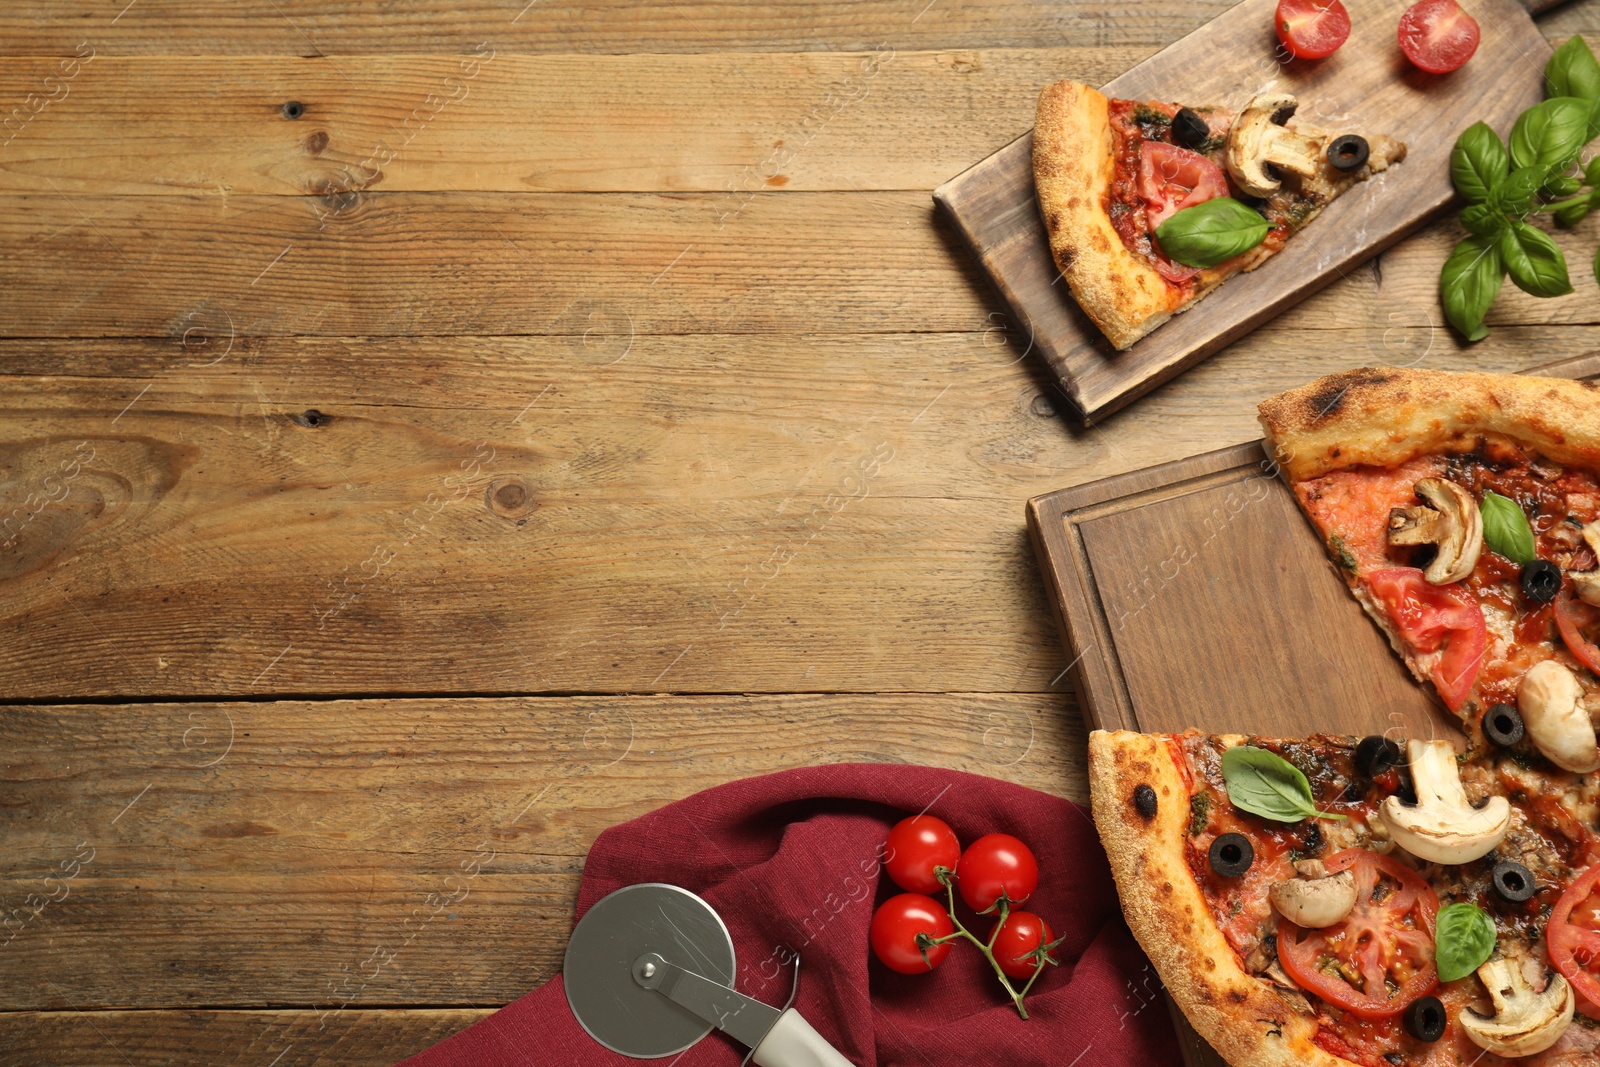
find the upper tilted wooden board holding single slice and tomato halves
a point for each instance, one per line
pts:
(1367, 86)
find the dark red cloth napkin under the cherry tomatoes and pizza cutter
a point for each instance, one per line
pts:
(791, 863)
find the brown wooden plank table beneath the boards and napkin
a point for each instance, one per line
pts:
(441, 430)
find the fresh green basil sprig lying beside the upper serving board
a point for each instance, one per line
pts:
(1505, 186)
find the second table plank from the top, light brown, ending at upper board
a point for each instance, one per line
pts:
(522, 124)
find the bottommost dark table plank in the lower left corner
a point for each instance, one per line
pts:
(249, 1039)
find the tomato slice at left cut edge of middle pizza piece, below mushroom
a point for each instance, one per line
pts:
(1431, 618)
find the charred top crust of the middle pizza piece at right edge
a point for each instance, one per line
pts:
(1388, 415)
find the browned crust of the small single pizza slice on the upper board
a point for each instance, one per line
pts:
(1073, 172)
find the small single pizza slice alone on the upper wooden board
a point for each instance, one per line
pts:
(1110, 172)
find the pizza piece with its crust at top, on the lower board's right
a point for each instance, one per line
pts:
(1462, 513)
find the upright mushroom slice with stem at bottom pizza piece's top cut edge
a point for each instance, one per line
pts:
(1442, 826)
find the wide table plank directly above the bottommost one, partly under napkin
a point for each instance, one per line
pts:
(255, 855)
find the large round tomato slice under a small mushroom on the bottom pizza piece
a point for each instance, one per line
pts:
(1380, 959)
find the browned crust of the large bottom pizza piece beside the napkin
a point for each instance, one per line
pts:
(1241, 1017)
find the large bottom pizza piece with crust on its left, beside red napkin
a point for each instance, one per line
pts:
(1335, 901)
